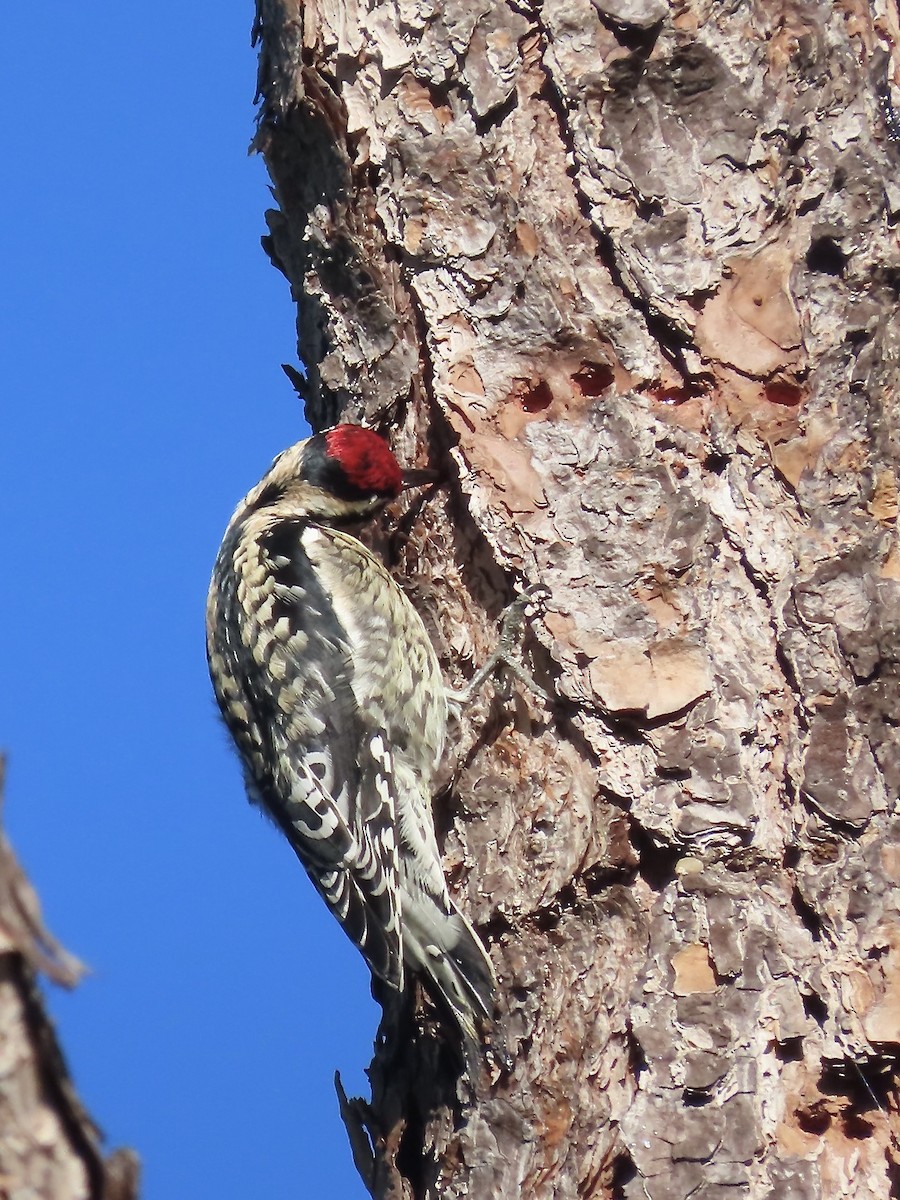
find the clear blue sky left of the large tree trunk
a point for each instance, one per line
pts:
(142, 335)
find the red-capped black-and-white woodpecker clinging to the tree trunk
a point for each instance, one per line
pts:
(332, 691)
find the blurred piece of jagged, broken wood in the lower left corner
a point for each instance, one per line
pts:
(50, 1148)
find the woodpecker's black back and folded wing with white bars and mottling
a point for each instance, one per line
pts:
(287, 698)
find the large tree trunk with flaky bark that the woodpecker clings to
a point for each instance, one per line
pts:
(627, 272)
